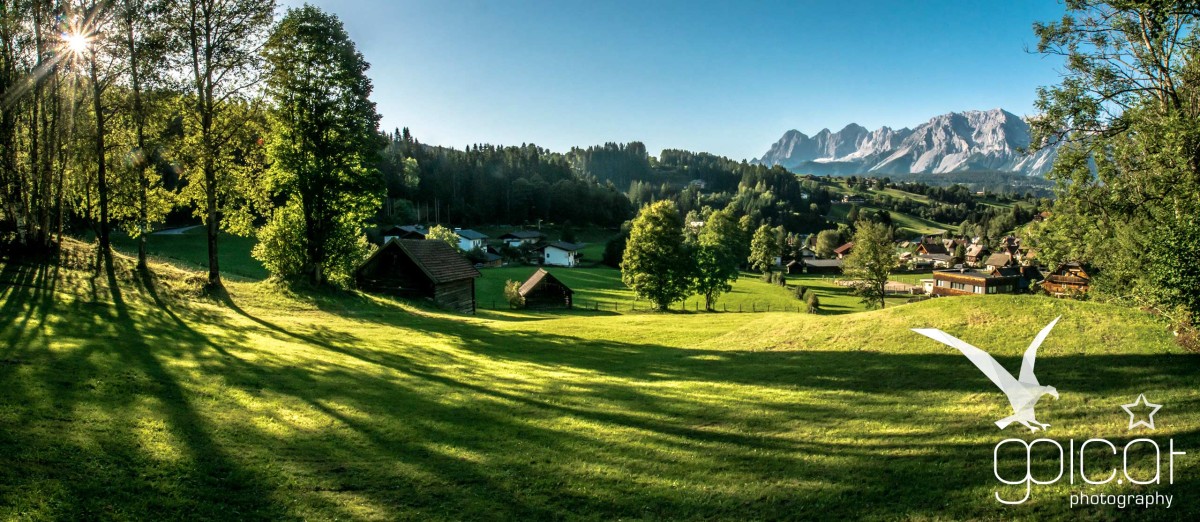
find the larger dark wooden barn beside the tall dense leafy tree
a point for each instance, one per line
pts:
(425, 269)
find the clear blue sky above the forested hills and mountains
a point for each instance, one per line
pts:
(724, 77)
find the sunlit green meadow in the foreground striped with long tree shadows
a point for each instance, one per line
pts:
(141, 401)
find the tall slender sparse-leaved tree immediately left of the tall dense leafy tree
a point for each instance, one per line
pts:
(220, 41)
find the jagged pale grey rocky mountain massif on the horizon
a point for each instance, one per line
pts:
(957, 142)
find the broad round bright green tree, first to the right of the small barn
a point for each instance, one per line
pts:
(657, 265)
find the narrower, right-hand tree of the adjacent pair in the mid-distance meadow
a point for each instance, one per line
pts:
(717, 257)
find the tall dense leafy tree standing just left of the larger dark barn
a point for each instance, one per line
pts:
(326, 141)
